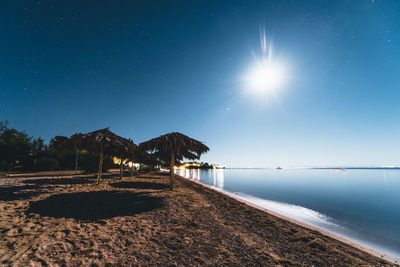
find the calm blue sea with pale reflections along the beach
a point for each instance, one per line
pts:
(361, 204)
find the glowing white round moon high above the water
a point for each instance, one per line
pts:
(267, 76)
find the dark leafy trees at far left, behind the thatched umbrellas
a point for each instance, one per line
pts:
(20, 152)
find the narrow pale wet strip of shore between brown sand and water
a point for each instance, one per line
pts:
(372, 251)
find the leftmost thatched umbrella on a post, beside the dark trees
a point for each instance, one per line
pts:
(105, 142)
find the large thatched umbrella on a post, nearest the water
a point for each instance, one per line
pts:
(174, 146)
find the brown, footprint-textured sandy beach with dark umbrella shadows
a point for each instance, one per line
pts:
(139, 221)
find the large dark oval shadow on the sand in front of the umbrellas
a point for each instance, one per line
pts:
(92, 206)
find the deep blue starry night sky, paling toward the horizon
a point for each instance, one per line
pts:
(145, 68)
